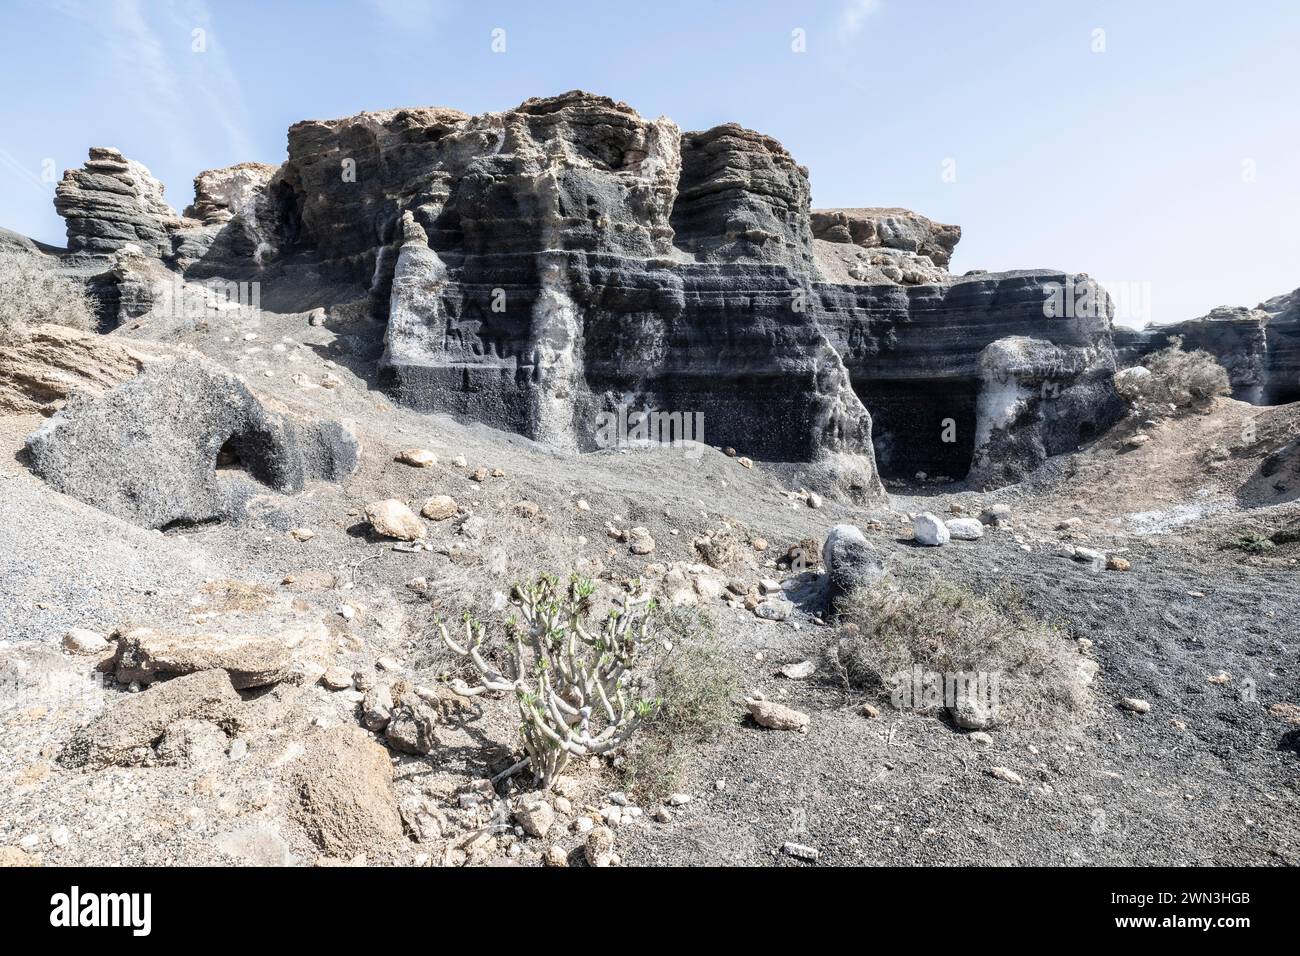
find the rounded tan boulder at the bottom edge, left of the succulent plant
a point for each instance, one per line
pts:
(344, 784)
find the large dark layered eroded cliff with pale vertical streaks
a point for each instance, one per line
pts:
(545, 265)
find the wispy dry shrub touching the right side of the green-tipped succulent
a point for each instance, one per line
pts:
(699, 687)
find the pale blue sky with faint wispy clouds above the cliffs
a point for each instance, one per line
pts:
(1167, 166)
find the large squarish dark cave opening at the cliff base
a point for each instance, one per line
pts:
(921, 426)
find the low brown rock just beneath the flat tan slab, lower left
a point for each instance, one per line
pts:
(127, 732)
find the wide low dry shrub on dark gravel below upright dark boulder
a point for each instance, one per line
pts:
(947, 629)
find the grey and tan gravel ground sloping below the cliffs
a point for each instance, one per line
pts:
(1207, 777)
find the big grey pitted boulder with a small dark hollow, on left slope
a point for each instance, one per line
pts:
(180, 444)
